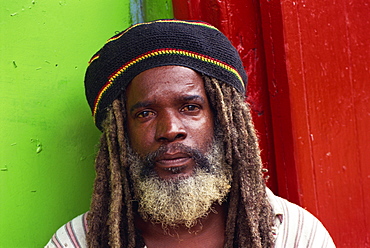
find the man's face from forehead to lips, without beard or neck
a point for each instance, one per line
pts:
(167, 106)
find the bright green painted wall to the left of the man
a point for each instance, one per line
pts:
(47, 136)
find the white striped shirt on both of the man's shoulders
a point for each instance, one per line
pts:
(294, 227)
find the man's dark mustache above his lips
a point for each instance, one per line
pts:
(149, 160)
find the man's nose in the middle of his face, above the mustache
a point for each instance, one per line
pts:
(170, 128)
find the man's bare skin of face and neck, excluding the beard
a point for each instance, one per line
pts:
(168, 105)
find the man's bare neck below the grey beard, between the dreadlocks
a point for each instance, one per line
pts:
(208, 232)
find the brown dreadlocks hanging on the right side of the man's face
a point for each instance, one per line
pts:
(247, 198)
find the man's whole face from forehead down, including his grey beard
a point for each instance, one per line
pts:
(176, 164)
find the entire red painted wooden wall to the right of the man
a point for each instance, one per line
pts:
(308, 65)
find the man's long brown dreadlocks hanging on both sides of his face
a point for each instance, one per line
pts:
(249, 218)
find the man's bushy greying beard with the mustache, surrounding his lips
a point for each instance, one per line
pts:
(184, 200)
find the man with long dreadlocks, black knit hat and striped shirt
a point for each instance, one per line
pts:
(179, 163)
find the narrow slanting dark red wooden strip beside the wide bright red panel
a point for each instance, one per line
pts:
(279, 92)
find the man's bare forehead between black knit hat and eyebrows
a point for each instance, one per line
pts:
(165, 82)
